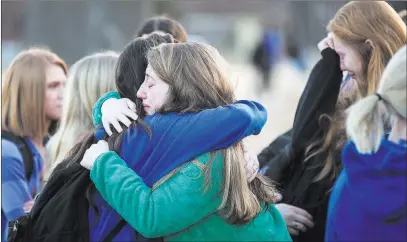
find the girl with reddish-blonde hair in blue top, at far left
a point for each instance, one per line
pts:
(32, 97)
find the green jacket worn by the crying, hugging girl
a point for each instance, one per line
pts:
(180, 209)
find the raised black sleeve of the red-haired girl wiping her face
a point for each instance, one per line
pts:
(319, 97)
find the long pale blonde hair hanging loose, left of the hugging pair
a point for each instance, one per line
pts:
(89, 78)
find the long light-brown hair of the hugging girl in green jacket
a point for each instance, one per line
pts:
(198, 80)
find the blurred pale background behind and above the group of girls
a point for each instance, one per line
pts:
(237, 28)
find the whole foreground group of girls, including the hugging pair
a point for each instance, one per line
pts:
(149, 143)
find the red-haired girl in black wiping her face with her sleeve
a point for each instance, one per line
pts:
(307, 168)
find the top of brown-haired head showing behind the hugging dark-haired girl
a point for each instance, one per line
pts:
(165, 25)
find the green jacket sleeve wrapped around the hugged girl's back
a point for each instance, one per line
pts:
(173, 206)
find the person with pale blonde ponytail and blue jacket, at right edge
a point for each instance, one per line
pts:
(368, 201)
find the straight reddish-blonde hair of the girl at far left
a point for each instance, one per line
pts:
(23, 92)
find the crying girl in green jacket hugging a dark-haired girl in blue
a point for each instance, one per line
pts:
(205, 199)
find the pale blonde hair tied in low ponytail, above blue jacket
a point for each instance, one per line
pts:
(365, 124)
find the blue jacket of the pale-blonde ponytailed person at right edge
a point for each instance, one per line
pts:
(368, 201)
